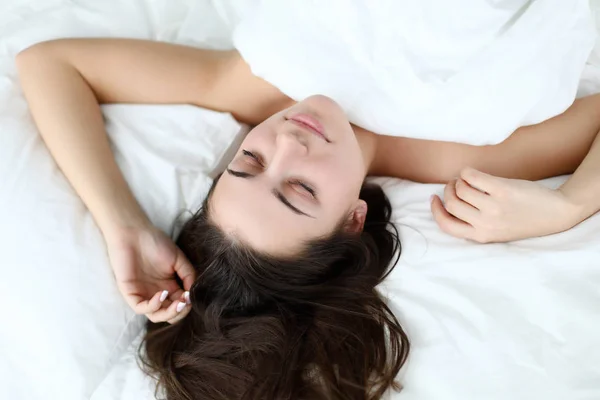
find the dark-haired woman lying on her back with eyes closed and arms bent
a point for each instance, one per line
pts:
(287, 250)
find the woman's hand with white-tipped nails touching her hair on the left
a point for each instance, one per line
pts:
(145, 263)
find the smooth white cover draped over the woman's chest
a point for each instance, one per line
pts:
(466, 71)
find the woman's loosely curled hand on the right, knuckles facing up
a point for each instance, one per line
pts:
(485, 208)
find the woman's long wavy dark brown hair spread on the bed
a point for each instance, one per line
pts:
(308, 327)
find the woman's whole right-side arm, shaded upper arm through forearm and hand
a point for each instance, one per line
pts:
(507, 205)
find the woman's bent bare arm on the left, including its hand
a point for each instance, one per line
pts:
(64, 82)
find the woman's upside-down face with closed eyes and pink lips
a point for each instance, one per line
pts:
(295, 177)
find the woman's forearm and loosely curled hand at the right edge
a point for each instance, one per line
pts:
(487, 208)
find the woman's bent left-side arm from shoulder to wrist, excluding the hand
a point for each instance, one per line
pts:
(65, 80)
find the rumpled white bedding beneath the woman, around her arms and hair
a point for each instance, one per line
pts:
(491, 322)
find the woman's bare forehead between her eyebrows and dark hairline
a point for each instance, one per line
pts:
(246, 210)
